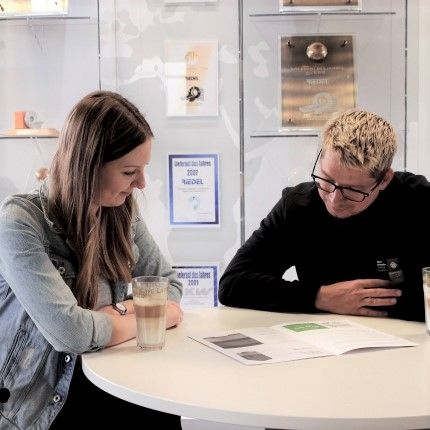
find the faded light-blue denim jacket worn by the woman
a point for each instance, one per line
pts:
(42, 327)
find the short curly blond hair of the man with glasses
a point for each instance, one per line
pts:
(362, 139)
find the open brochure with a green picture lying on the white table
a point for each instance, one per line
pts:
(297, 341)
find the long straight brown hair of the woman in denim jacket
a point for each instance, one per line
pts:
(102, 127)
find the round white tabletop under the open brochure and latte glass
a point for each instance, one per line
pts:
(371, 389)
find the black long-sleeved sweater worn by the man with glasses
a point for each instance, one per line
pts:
(300, 232)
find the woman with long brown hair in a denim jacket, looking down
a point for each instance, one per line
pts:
(67, 254)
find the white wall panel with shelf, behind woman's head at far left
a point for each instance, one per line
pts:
(46, 66)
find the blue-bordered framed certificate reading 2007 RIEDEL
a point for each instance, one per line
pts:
(193, 190)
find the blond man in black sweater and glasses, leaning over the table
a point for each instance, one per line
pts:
(350, 234)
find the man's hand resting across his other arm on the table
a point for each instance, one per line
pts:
(353, 297)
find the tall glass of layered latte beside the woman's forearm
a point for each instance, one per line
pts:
(149, 298)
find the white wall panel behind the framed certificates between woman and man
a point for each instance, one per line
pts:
(132, 46)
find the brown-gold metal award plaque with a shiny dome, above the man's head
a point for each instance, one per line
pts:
(317, 79)
